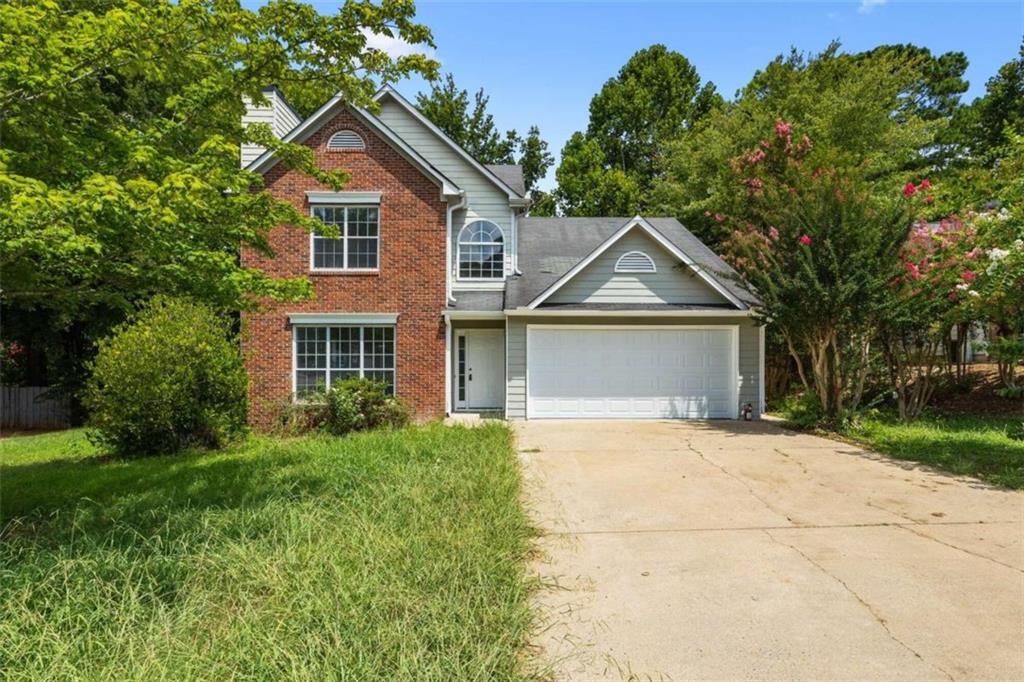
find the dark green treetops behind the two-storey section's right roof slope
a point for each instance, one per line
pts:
(474, 127)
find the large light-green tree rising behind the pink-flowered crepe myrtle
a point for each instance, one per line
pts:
(867, 110)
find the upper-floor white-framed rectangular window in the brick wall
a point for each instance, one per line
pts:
(358, 246)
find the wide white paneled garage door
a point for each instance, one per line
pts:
(634, 373)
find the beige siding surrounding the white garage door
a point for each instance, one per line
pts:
(516, 339)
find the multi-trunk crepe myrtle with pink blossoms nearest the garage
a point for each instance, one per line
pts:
(820, 242)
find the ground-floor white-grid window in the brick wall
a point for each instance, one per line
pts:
(326, 355)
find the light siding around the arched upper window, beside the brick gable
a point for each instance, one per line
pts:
(484, 200)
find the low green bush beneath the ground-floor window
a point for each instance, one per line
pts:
(357, 405)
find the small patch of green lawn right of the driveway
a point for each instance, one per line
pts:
(974, 446)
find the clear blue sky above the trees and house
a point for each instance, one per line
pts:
(542, 62)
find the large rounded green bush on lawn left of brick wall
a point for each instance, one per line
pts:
(169, 378)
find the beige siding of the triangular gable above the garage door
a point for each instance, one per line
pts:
(672, 283)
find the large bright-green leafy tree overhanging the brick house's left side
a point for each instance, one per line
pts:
(120, 123)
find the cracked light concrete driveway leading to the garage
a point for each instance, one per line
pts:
(721, 550)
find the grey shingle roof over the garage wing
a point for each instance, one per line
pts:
(551, 247)
